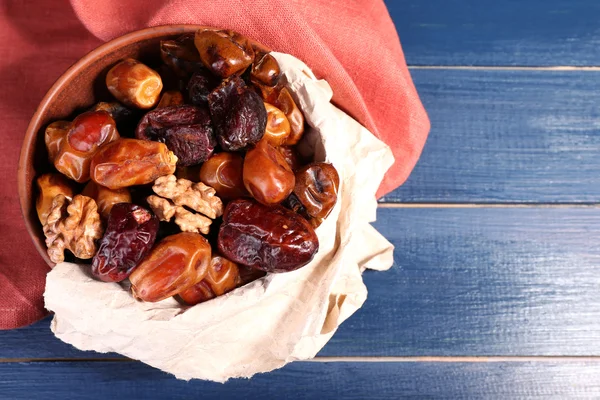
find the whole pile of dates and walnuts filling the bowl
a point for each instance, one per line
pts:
(189, 182)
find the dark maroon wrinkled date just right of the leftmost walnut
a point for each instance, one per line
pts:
(129, 236)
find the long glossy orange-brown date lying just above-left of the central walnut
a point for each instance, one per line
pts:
(129, 162)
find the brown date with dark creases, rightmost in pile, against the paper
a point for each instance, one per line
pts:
(316, 188)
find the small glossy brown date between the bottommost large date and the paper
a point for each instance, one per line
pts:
(223, 276)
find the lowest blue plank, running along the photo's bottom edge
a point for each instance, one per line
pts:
(132, 380)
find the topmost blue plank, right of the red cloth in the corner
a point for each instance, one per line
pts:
(489, 32)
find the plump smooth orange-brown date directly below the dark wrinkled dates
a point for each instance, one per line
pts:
(267, 176)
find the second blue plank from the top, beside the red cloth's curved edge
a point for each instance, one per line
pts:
(507, 136)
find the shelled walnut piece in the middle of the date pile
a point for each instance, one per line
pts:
(174, 195)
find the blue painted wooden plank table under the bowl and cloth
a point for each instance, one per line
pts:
(495, 291)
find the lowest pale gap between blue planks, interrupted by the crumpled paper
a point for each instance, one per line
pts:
(406, 359)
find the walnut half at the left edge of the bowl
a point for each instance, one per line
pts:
(73, 226)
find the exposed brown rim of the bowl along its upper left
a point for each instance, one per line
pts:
(34, 123)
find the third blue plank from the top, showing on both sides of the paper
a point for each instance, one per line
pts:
(468, 281)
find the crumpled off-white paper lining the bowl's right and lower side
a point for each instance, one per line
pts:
(267, 323)
